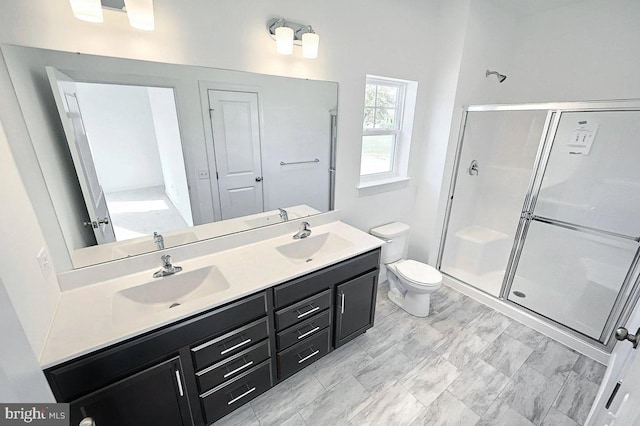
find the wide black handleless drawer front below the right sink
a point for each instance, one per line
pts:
(300, 288)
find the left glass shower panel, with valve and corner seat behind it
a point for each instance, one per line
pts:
(496, 160)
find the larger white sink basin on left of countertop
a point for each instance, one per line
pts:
(159, 294)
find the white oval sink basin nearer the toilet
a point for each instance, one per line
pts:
(313, 247)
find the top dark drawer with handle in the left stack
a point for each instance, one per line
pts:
(229, 344)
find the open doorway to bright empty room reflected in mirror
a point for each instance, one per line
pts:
(132, 144)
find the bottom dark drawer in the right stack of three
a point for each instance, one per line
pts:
(304, 353)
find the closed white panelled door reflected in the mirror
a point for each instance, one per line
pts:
(235, 126)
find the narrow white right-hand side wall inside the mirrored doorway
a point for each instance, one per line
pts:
(169, 145)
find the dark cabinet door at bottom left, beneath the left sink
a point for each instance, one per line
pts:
(153, 397)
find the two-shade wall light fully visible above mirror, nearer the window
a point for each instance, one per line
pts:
(287, 34)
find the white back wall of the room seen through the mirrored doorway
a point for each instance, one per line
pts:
(120, 126)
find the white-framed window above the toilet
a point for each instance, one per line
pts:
(385, 139)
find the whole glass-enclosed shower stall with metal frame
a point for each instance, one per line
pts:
(543, 211)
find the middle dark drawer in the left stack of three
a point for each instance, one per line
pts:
(232, 367)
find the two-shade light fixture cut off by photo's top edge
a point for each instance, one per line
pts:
(139, 12)
